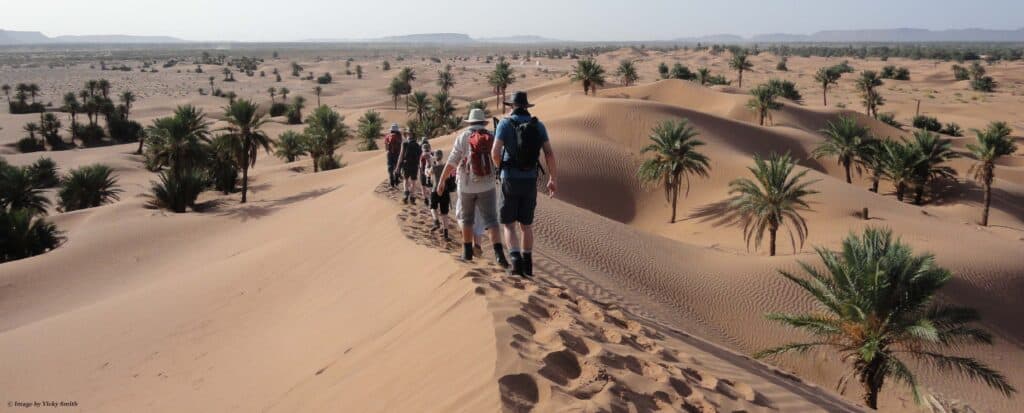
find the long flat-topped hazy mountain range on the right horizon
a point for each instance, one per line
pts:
(880, 35)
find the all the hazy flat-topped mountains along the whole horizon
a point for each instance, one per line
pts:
(855, 36)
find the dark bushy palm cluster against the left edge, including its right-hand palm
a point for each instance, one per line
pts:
(24, 230)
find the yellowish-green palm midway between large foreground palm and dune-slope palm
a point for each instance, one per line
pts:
(775, 200)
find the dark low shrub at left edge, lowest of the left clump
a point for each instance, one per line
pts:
(24, 235)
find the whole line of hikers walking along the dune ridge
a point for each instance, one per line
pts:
(493, 175)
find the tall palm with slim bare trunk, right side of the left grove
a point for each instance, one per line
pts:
(245, 121)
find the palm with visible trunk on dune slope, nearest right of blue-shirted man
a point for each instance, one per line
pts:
(676, 158)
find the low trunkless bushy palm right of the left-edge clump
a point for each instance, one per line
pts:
(89, 187)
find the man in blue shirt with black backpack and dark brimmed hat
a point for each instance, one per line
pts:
(520, 139)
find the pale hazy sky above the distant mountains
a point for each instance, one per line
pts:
(569, 20)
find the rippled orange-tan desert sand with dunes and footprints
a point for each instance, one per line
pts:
(296, 302)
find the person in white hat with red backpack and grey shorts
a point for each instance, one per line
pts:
(471, 156)
